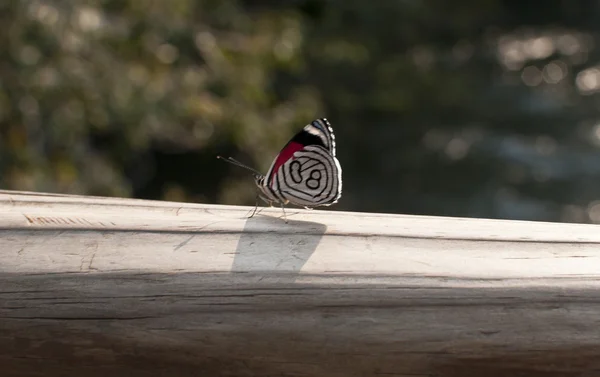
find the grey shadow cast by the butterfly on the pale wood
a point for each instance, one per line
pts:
(272, 248)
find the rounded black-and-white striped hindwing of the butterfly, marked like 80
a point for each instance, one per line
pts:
(312, 178)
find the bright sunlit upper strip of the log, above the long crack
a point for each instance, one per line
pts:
(19, 208)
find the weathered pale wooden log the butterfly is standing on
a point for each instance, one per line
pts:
(116, 287)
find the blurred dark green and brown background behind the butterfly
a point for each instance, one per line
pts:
(482, 108)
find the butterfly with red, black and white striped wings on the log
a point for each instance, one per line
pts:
(306, 171)
